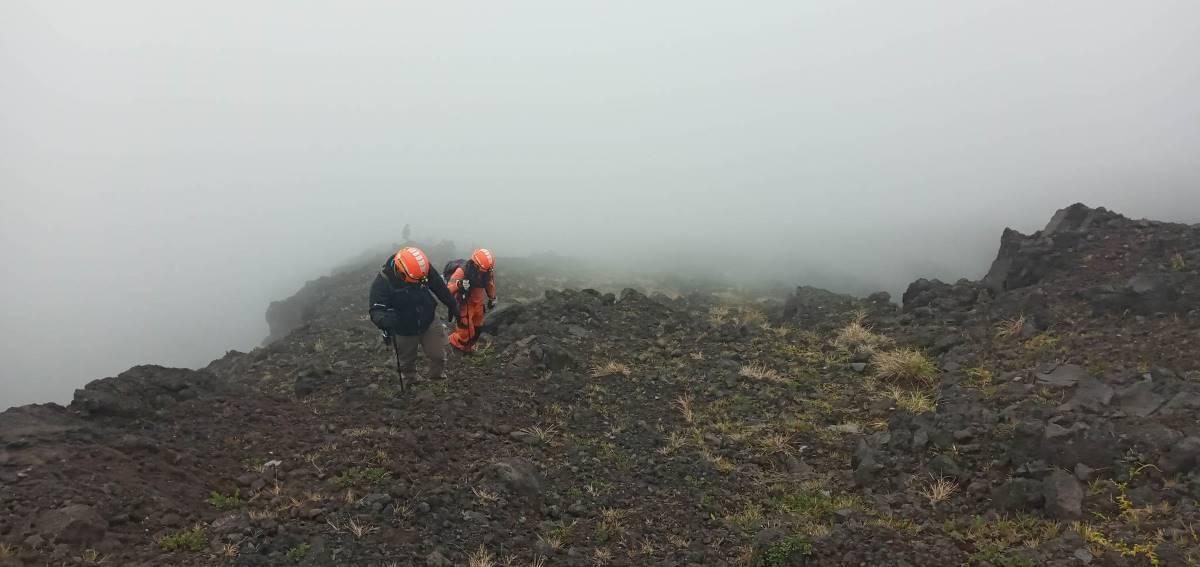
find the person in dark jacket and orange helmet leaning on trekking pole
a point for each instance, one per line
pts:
(403, 307)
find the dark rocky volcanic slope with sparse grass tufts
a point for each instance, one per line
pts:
(1047, 415)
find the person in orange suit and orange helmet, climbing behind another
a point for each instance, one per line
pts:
(470, 280)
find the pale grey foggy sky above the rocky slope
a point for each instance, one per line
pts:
(165, 172)
